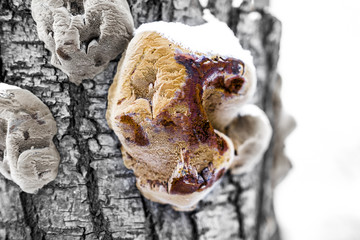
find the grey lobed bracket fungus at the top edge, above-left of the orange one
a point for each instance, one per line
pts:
(83, 36)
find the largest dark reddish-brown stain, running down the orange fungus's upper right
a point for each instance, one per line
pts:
(202, 73)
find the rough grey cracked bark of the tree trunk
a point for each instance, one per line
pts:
(94, 195)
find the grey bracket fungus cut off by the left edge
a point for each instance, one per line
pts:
(27, 153)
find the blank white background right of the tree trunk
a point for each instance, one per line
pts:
(320, 66)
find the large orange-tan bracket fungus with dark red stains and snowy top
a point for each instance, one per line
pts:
(176, 90)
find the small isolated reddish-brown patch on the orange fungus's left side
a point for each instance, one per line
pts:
(138, 136)
